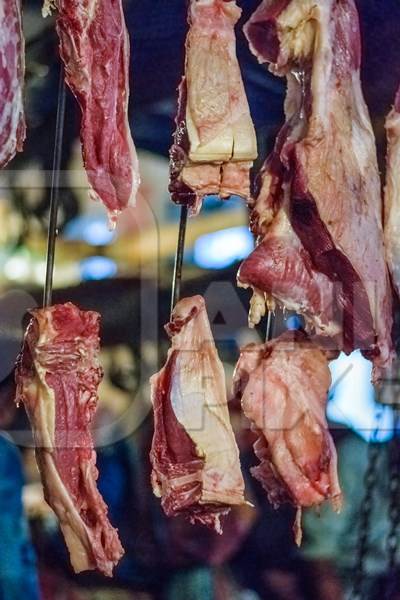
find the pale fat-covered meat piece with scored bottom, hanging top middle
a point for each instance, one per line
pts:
(214, 142)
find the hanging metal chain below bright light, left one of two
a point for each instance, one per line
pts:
(366, 511)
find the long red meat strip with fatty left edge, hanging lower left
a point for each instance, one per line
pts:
(57, 376)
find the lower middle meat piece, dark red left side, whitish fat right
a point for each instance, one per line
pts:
(195, 459)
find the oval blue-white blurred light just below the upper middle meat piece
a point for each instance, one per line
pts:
(222, 248)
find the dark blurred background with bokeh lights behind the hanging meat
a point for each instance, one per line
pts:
(126, 275)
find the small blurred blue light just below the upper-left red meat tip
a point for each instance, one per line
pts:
(92, 229)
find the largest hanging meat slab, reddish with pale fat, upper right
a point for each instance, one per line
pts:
(318, 209)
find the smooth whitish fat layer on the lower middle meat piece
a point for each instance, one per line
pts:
(199, 400)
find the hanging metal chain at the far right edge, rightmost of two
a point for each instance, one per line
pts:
(394, 506)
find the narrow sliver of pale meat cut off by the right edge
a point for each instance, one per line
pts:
(392, 193)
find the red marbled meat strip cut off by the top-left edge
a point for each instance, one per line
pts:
(12, 69)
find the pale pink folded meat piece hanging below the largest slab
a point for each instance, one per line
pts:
(283, 387)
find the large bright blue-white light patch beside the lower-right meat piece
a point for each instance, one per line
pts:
(352, 398)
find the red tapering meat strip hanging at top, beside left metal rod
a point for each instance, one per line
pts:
(94, 47)
